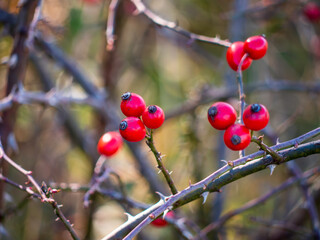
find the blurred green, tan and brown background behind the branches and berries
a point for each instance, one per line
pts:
(169, 70)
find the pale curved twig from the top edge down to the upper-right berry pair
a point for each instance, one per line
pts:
(142, 8)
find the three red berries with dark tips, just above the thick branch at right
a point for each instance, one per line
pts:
(222, 116)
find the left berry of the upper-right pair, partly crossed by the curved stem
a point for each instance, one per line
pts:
(234, 55)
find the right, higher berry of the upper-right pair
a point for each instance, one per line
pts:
(256, 47)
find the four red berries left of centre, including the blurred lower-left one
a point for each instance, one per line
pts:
(131, 128)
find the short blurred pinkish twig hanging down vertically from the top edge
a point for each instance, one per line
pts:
(111, 24)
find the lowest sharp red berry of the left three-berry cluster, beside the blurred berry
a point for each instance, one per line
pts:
(132, 129)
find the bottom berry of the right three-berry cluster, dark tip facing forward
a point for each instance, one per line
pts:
(237, 137)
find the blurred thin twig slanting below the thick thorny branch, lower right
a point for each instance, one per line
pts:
(258, 201)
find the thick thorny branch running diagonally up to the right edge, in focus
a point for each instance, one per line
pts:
(240, 168)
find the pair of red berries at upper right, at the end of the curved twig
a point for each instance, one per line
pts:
(255, 46)
